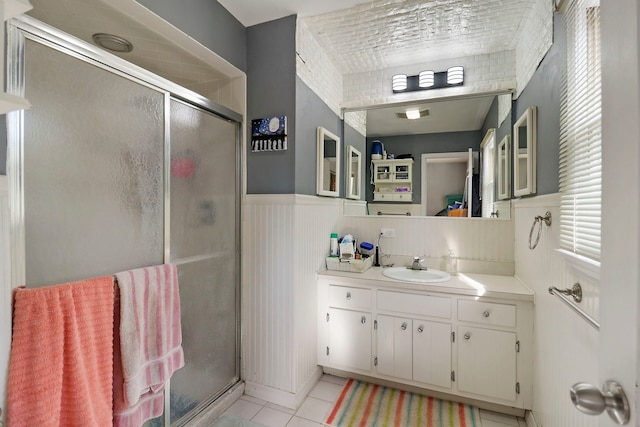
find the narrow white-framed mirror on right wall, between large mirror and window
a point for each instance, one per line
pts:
(524, 154)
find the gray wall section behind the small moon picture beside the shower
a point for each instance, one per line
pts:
(271, 77)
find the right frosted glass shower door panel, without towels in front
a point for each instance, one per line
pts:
(203, 244)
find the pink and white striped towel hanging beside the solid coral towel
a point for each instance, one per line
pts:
(150, 341)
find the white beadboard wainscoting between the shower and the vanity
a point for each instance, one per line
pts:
(285, 241)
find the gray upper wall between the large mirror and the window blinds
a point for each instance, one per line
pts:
(543, 91)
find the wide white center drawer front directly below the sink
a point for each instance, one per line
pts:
(424, 305)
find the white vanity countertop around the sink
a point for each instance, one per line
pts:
(481, 285)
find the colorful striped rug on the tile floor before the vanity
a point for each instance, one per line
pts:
(368, 405)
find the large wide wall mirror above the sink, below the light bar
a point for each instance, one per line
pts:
(446, 126)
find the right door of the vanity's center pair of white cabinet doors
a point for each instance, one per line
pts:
(432, 353)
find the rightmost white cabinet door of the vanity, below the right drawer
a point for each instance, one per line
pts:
(487, 362)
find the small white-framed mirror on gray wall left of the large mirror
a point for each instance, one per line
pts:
(328, 168)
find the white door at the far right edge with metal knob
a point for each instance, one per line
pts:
(619, 293)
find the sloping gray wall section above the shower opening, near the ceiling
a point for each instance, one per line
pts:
(209, 23)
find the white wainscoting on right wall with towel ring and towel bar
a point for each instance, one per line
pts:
(565, 346)
